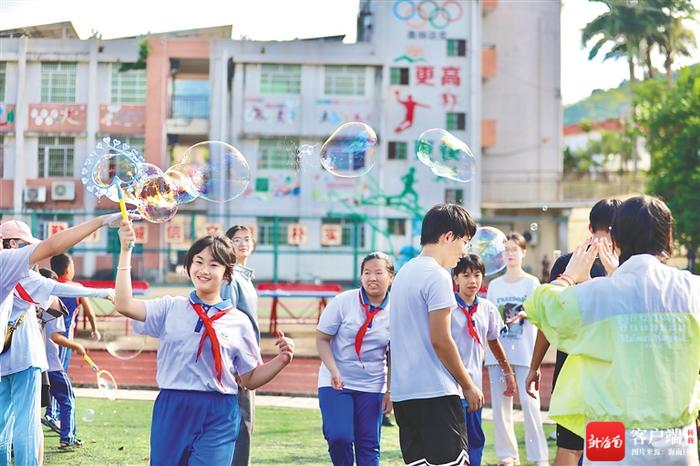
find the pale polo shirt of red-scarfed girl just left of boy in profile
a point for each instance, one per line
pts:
(342, 318)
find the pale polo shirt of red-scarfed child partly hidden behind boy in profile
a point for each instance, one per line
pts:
(487, 323)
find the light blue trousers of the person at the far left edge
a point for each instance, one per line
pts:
(20, 408)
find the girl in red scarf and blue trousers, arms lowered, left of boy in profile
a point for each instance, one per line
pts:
(353, 342)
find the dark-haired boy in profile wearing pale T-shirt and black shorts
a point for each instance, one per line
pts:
(427, 373)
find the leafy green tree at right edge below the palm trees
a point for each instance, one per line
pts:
(670, 121)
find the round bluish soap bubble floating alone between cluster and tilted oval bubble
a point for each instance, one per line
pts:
(350, 151)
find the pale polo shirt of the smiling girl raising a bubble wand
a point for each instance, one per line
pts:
(173, 321)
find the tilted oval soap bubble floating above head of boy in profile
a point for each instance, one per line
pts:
(446, 155)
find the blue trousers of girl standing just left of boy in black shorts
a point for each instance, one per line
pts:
(351, 418)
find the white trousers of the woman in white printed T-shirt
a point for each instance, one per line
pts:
(506, 445)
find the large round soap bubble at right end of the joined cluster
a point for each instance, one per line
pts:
(217, 171)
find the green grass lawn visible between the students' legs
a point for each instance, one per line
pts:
(116, 433)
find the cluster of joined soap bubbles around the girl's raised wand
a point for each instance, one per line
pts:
(210, 170)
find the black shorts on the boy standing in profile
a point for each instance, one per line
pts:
(432, 431)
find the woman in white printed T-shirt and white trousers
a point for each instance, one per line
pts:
(508, 292)
